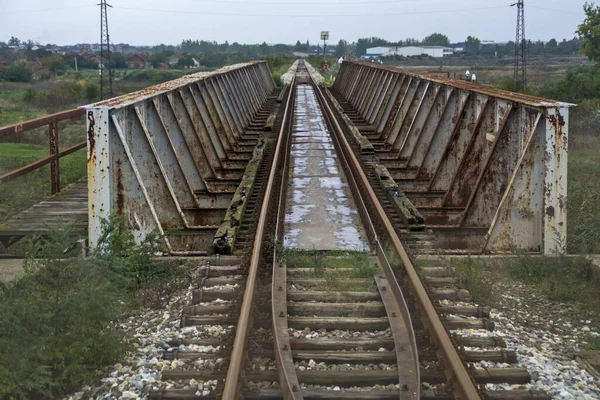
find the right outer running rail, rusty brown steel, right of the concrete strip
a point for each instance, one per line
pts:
(456, 371)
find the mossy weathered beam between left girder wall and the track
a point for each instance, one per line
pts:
(224, 239)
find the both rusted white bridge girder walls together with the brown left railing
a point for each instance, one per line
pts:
(486, 169)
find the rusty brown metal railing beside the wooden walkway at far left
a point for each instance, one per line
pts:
(56, 154)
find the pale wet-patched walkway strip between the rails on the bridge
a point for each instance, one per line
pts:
(320, 211)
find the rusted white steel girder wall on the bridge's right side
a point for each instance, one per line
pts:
(470, 155)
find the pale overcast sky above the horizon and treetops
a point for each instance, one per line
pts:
(147, 22)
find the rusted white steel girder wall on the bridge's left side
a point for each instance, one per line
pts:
(157, 156)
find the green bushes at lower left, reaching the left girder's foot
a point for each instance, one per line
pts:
(55, 321)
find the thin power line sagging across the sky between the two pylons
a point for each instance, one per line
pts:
(212, 13)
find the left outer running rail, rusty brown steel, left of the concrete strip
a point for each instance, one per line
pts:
(230, 390)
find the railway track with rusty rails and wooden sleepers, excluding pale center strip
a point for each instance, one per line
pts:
(334, 324)
